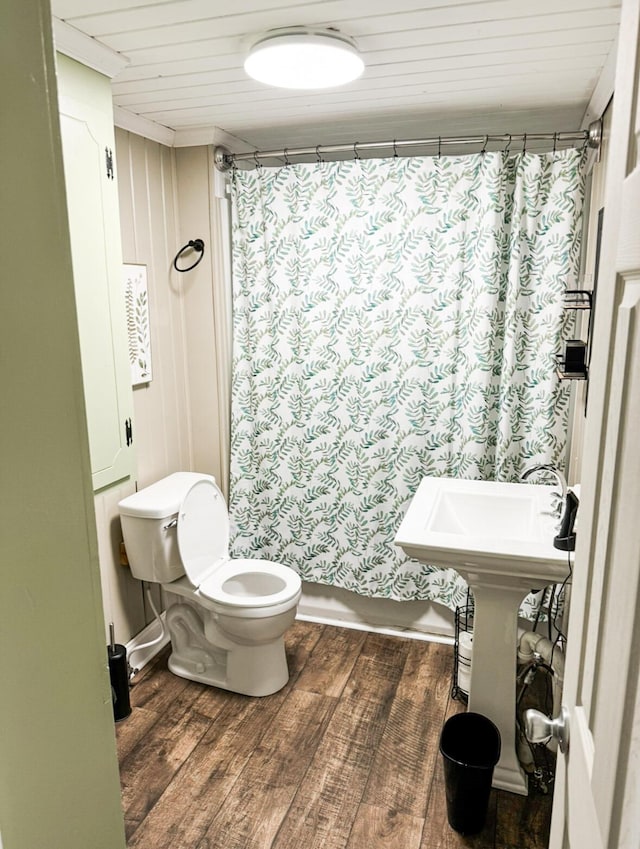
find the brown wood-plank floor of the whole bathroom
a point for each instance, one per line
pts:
(344, 757)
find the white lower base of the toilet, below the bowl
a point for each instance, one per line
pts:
(251, 670)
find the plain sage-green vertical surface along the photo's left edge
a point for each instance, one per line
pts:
(59, 786)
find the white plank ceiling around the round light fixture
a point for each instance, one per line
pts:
(433, 67)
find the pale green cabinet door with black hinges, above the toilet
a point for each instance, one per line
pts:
(86, 121)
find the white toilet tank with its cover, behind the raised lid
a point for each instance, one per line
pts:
(148, 519)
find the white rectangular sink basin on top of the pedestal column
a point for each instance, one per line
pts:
(502, 528)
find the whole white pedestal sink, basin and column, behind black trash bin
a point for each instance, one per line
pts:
(499, 537)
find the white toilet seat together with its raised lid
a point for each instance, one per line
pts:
(239, 586)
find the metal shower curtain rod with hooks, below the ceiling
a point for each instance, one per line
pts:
(224, 159)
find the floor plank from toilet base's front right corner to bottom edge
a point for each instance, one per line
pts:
(253, 812)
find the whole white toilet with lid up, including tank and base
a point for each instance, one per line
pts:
(226, 617)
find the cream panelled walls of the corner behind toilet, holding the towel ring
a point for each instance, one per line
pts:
(164, 202)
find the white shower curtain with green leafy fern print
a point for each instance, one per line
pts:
(392, 319)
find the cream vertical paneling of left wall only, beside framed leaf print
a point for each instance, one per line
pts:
(147, 192)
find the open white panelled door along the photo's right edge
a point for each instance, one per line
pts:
(597, 797)
